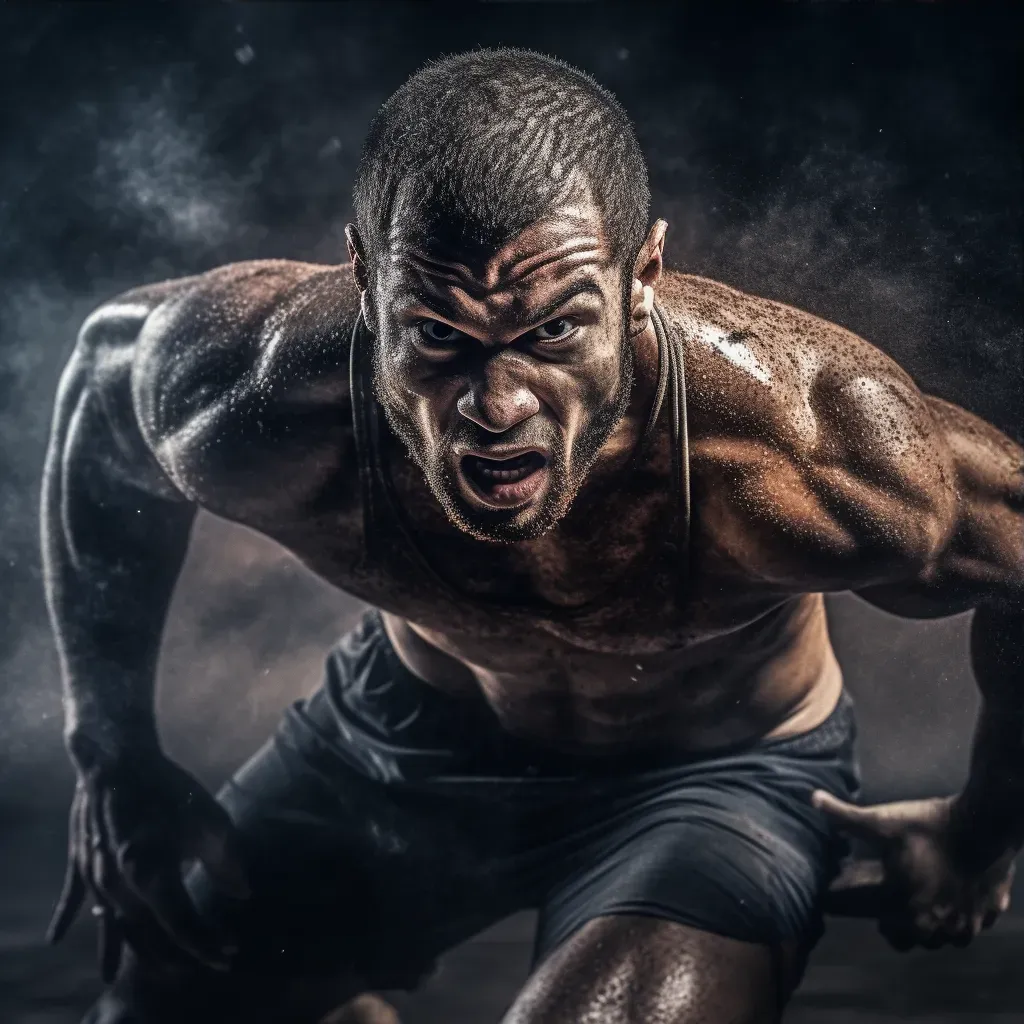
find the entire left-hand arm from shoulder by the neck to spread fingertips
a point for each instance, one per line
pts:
(195, 393)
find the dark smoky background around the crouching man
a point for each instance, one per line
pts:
(863, 162)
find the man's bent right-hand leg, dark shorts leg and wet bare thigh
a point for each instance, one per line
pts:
(701, 899)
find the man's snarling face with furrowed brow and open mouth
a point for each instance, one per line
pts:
(506, 377)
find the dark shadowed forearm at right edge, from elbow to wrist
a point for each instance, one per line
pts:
(991, 810)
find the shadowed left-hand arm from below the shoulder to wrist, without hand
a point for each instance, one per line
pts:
(112, 553)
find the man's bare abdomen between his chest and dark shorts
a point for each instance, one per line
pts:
(769, 680)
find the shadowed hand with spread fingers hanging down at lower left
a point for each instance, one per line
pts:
(133, 827)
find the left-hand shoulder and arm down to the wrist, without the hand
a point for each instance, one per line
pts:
(228, 391)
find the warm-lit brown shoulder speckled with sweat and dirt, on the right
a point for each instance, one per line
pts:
(849, 459)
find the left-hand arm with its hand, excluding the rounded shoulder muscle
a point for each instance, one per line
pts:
(115, 533)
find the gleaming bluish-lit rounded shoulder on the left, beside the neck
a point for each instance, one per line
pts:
(220, 372)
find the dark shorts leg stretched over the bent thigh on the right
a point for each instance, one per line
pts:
(735, 850)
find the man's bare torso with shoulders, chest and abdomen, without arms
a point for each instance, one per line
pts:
(816, 466)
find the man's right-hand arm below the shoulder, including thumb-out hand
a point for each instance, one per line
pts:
(949, 864)
